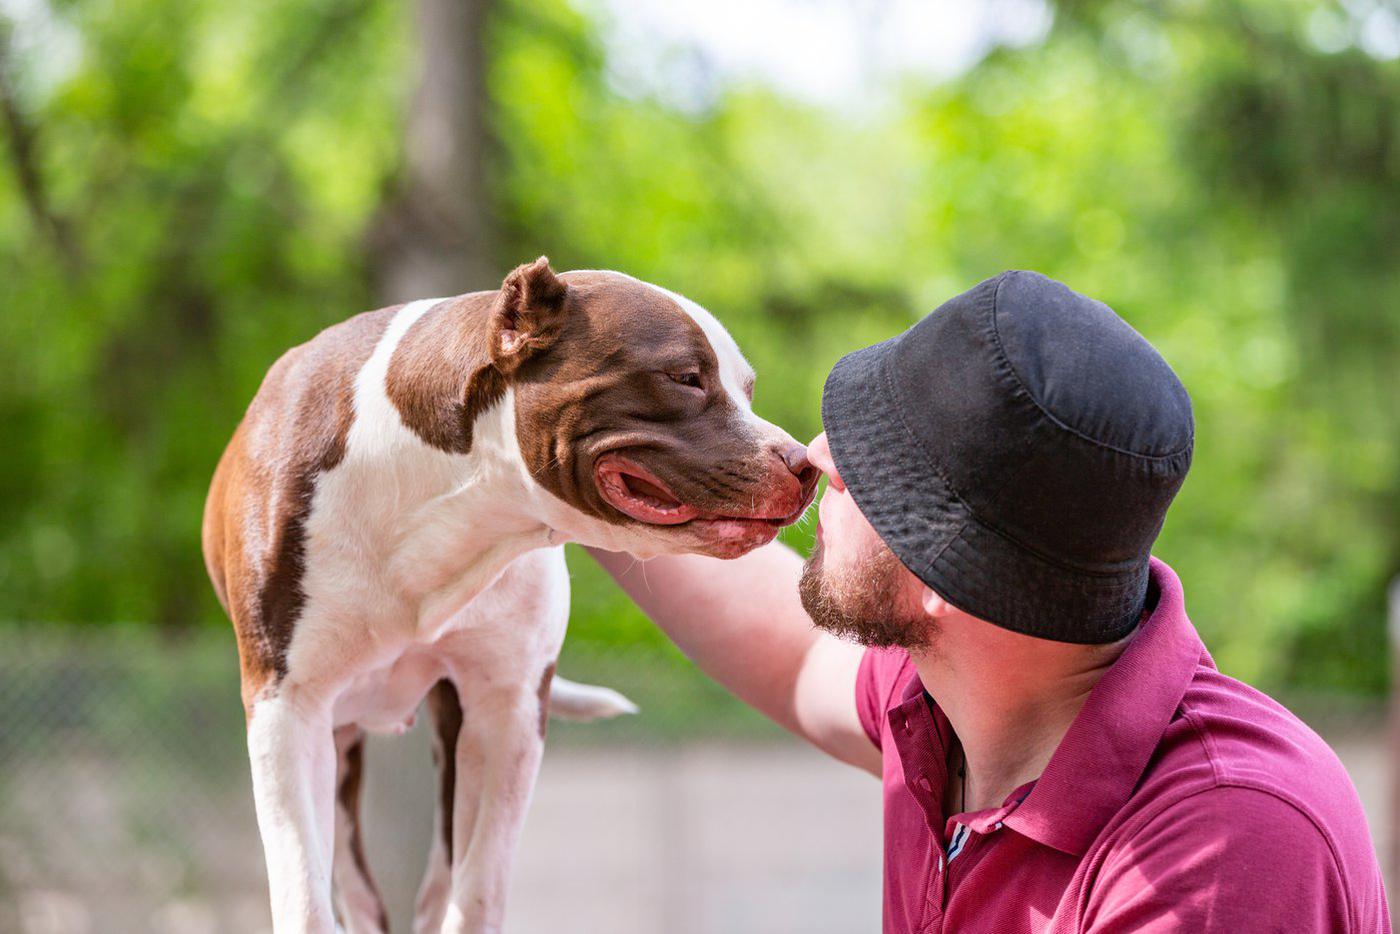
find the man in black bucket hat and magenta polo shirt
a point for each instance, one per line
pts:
(1058, 748)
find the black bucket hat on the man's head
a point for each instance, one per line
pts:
(1017, 450)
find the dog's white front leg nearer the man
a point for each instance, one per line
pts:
(498, 760)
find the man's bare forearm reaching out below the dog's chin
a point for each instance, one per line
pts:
(741, 621)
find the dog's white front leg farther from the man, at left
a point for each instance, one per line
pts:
(293, 754)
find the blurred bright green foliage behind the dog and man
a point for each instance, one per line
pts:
(209, 173)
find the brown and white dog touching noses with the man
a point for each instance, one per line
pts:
(387, 524)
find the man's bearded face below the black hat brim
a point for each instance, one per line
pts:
(853, 586)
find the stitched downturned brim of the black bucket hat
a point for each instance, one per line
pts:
(898, 487)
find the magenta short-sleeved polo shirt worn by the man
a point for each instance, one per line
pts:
(1179, 800)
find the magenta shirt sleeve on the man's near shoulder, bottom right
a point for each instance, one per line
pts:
(1228, 860)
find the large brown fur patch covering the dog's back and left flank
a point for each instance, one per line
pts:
(254, 531)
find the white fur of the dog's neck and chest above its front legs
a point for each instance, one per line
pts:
(423, 564)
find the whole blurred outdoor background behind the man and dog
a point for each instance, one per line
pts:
(191, 187)
